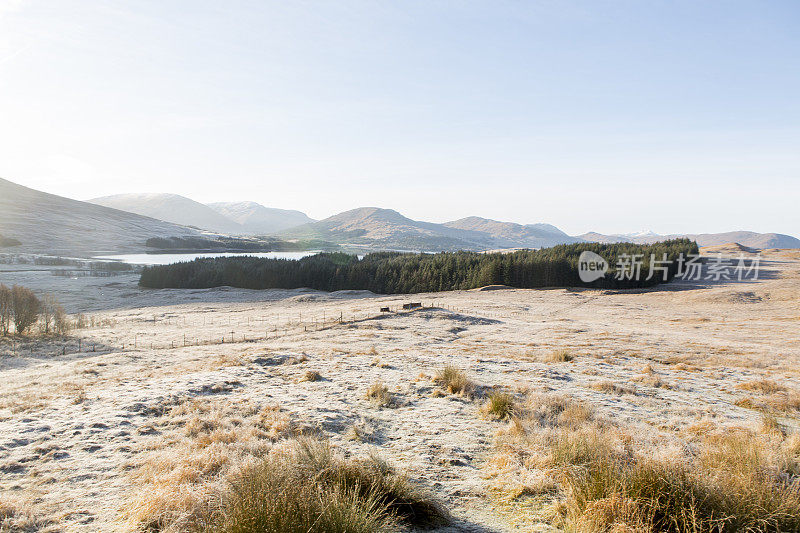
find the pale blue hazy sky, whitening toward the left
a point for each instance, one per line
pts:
(609, 116)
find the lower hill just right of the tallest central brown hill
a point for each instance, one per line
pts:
(511, 235)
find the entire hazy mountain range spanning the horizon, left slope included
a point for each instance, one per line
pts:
(52, 224)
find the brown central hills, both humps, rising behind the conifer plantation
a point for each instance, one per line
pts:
(375, 228)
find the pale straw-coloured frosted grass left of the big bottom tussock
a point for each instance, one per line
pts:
(182, 475)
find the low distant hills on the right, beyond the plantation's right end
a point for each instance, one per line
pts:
(749, 239)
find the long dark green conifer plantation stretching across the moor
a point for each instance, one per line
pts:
(405, 273)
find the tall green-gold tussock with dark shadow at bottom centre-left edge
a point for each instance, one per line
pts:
(310, 488)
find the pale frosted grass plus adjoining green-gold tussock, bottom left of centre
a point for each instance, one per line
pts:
(219, 480)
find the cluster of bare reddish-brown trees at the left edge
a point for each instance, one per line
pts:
(21, 309)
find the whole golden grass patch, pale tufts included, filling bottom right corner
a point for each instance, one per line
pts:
(593, 477)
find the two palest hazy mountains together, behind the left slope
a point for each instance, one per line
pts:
(238, 218)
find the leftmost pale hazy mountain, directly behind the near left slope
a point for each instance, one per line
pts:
(171, 208)
